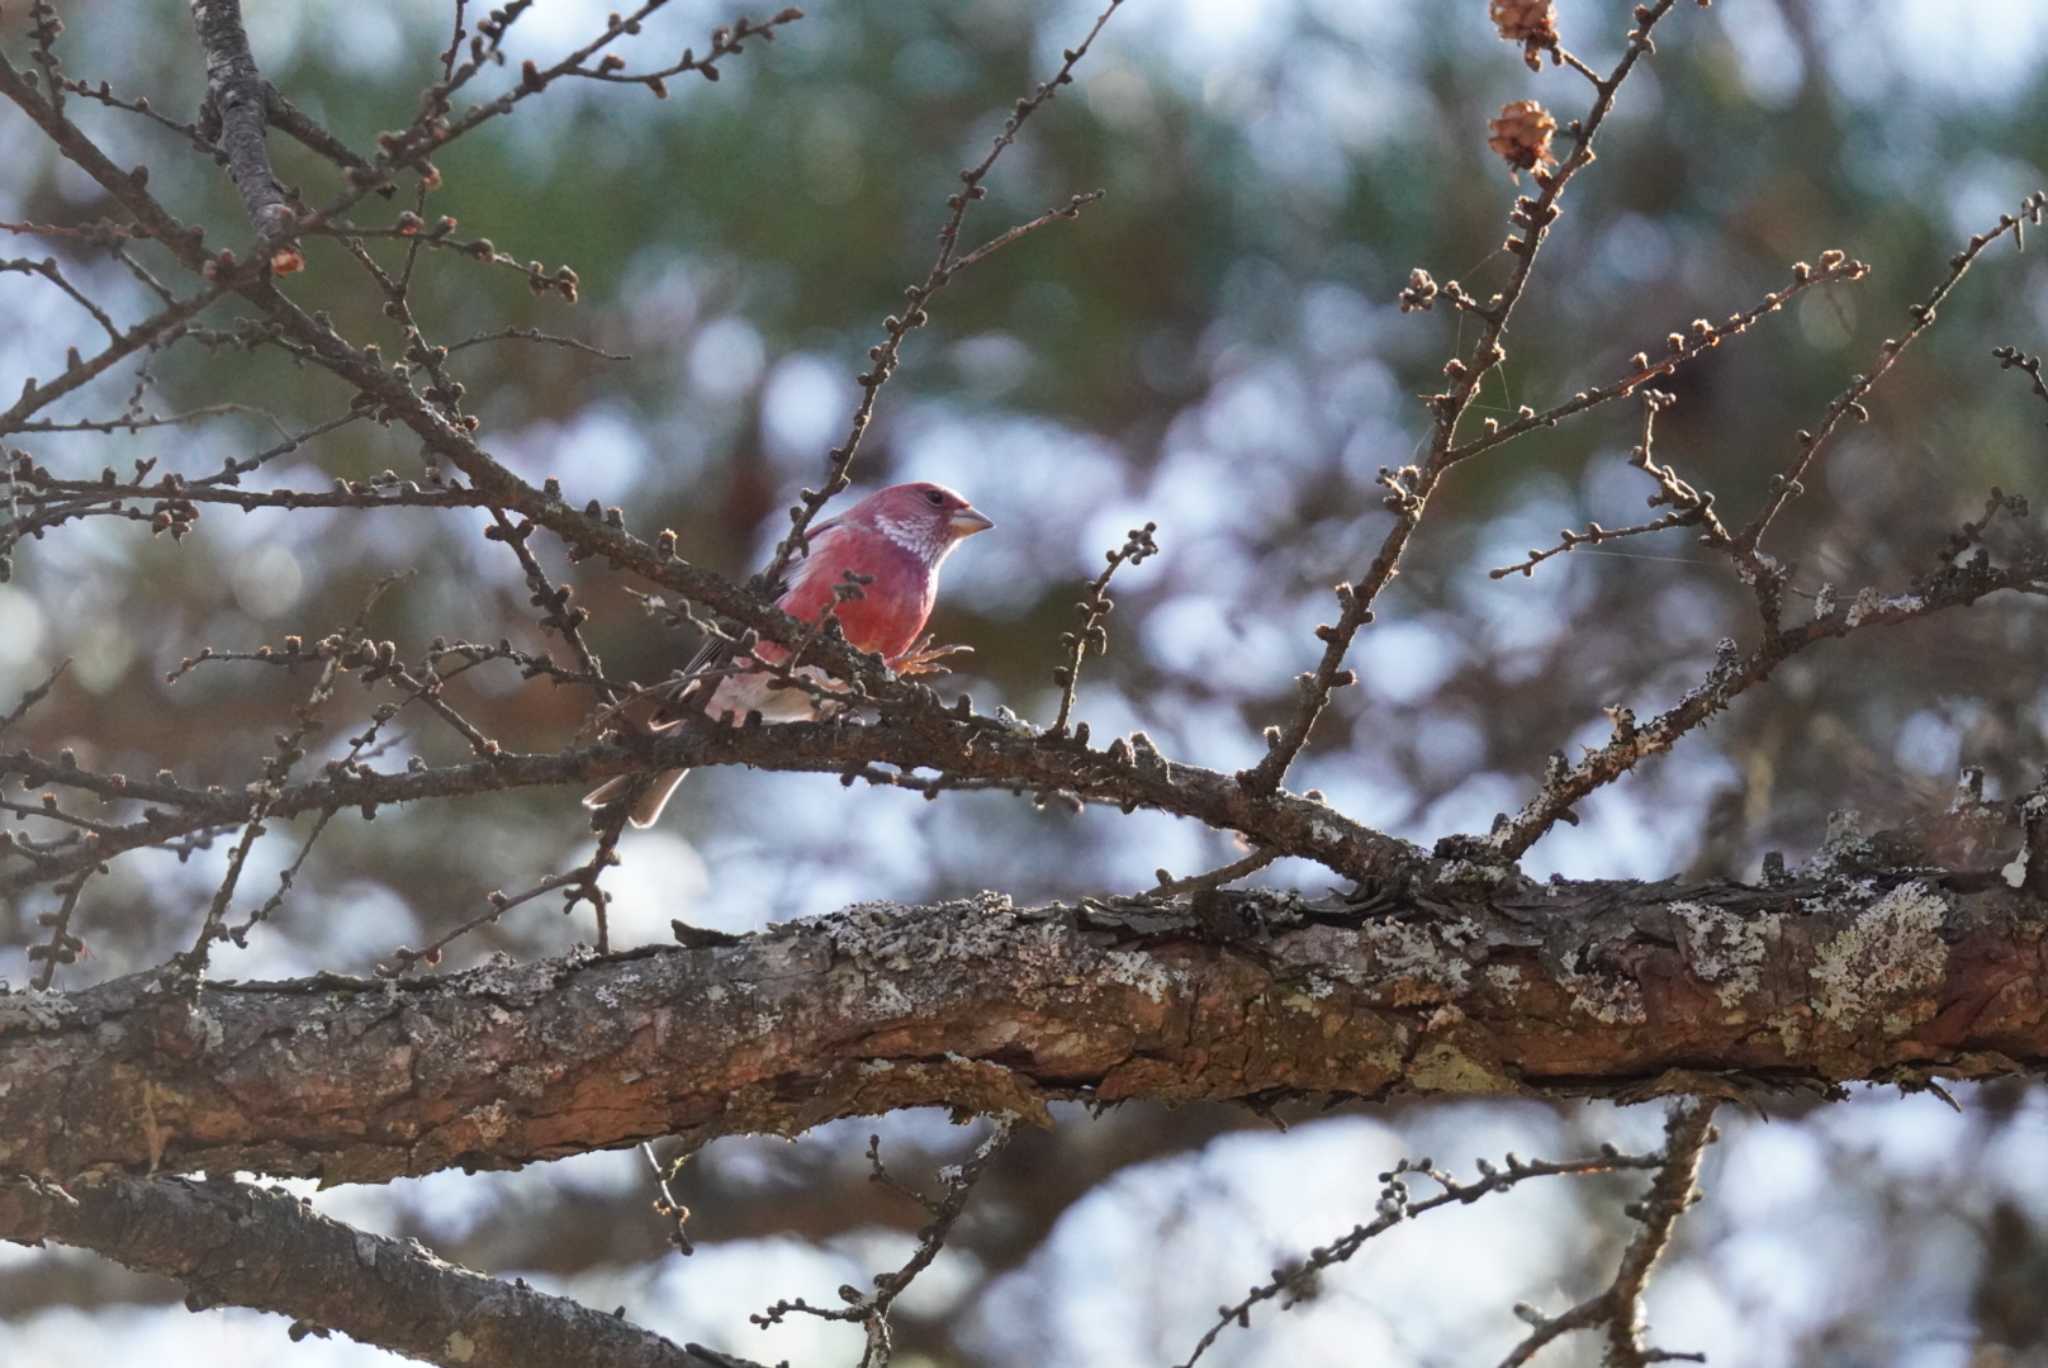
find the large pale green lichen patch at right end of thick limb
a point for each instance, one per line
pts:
(1887, 955)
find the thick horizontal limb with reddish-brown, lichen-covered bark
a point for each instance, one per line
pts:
(1490, 986)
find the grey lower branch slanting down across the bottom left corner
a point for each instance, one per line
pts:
(243, 1246)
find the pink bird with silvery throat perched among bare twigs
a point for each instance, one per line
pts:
(898, 540)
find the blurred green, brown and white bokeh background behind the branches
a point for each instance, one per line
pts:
(1213, 347)
